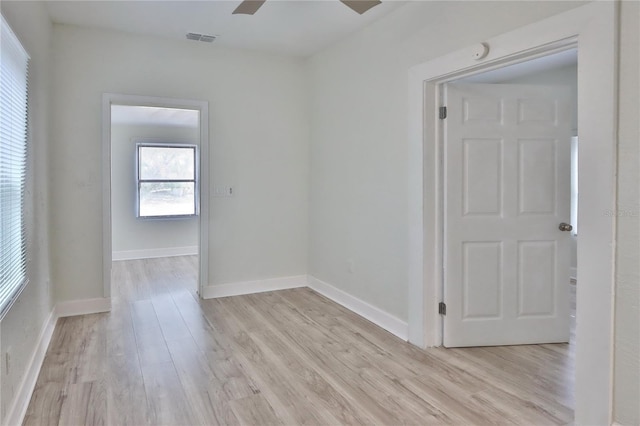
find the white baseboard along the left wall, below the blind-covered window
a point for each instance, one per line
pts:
(15, 414)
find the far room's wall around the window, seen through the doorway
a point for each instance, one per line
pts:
(129, 233)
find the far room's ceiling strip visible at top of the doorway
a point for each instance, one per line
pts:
(154, 116)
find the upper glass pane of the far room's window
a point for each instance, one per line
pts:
(166, 163)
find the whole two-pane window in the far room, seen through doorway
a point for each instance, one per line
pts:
(166, 180)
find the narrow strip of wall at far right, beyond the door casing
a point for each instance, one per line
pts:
(626, 398)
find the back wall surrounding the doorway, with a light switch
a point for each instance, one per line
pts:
(258, 144)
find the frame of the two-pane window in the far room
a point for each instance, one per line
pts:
(195, 180)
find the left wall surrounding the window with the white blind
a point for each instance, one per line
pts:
(21, 327)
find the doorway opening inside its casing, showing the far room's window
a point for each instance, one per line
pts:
(154, 186)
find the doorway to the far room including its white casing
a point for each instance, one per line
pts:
(155, 173)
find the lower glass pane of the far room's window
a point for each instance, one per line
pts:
(167, 198)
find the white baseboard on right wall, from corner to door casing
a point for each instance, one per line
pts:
(377, 316)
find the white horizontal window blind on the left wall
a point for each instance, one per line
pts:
(14, 62)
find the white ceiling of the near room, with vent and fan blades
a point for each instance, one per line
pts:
(291, 27)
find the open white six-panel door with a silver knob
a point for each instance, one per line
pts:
(507, 190)
